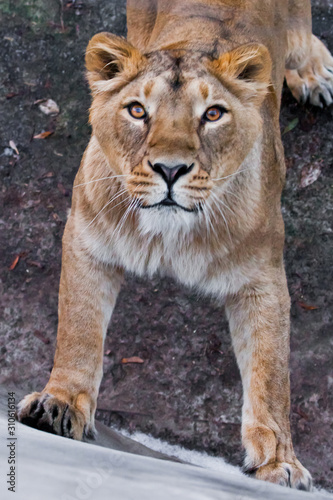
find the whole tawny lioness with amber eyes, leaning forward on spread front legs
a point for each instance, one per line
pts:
(183, 176)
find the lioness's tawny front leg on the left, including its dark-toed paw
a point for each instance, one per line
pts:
(86, 299)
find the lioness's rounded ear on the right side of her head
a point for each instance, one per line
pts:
(249, 67)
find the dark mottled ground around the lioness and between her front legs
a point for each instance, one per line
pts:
(188, 389)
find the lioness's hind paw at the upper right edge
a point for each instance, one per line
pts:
(314, 81)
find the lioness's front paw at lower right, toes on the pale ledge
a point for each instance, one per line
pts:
(293, 475)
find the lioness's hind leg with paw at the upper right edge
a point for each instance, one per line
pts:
(309, 65)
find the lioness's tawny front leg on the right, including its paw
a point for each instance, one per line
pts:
(259, 324)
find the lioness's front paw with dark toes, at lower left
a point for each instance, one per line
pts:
(48, 413)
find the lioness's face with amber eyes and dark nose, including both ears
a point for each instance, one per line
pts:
(173, 123)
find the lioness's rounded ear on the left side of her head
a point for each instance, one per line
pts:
(111, 61)
